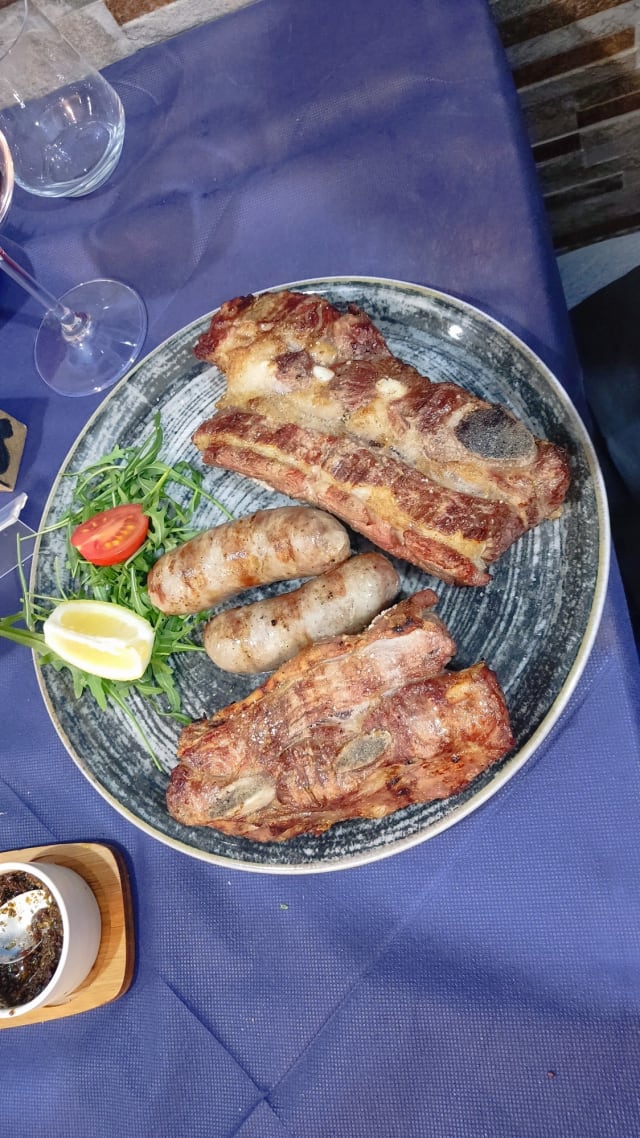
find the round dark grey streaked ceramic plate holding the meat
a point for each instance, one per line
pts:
(535, 624)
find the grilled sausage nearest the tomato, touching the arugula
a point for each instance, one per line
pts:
(269, 546)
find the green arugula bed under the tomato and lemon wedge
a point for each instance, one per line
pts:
(132, 474)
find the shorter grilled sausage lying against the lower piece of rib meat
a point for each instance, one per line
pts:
(261, 637)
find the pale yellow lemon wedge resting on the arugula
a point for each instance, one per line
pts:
(103, 639)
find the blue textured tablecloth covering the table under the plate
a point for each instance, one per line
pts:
(487, 982)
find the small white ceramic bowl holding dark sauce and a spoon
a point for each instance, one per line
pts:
(81, 931)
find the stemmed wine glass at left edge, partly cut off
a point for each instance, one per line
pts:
(91, 337)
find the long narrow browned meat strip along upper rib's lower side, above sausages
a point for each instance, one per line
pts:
(445, 533)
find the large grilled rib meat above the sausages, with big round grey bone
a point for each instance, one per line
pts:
(319, 409)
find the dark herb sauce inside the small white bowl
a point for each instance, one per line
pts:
(24, 980)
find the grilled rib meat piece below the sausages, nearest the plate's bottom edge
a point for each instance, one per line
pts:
(356, 727)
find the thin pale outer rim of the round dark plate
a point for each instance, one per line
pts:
(513, 765)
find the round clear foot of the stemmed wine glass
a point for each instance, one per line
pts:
(105, 348)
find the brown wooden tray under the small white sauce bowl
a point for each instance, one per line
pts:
(104, 871)
